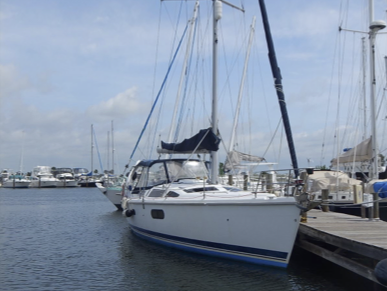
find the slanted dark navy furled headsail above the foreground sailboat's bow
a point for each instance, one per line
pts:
(278, 86)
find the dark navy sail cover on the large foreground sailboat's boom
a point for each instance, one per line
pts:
(205, 140)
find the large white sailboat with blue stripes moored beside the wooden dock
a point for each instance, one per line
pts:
(178, 202)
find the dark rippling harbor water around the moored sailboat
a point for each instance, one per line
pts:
(74, 239)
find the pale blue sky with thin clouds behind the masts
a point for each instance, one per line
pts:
(68, 65)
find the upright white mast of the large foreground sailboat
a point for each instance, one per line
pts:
(214, 156)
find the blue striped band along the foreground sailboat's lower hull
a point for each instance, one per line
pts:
(245, 254)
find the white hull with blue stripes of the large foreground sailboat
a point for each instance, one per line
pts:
(261, 232)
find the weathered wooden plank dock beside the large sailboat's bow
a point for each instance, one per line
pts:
(351, 242)
